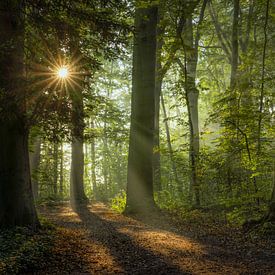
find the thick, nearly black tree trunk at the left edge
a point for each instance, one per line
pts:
(16, 198)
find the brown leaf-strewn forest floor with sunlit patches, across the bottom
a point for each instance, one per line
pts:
(97, 240)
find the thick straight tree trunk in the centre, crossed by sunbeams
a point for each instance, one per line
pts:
(140, 160)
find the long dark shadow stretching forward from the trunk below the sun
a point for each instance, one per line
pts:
(132, 258)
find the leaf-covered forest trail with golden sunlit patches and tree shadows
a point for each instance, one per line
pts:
(98, 240)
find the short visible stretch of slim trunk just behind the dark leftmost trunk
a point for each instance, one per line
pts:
(34, 165)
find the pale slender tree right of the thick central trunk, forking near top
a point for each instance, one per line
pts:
(189, 70)
